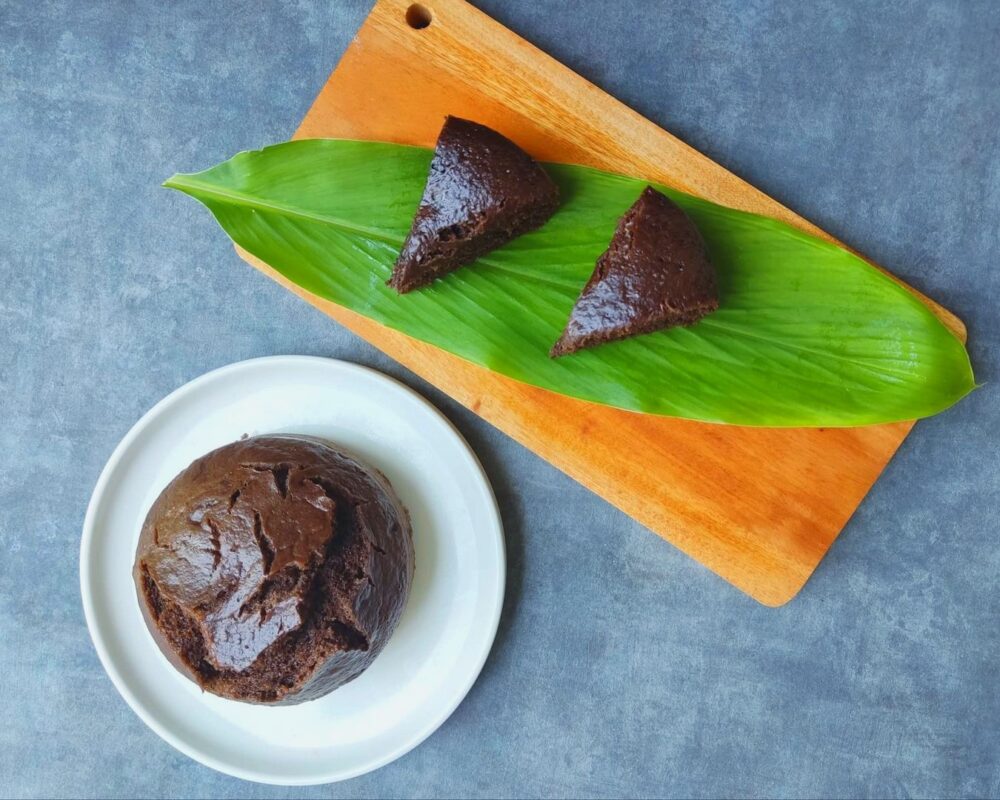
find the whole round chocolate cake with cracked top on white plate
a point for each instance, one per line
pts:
(274, 569)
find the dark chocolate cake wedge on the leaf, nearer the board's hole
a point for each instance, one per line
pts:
(483, 190)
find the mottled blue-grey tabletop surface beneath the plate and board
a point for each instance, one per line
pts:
(622, 667)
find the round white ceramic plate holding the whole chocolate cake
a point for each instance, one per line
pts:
(450, 620)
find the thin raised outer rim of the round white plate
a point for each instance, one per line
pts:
(90, 615)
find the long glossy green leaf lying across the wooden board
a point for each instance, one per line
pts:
(807, 333)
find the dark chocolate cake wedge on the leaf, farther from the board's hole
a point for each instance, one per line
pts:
(655, 274)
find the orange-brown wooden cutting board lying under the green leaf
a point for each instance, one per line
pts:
(760, 507)
